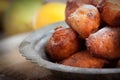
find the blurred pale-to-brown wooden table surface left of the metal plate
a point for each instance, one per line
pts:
(14, 65)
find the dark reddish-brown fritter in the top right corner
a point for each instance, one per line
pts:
(111, 12)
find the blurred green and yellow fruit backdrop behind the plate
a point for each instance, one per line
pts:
(21, 16)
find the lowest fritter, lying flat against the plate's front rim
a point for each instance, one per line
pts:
(84, 60)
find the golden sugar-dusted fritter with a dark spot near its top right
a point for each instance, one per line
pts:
(84, 20)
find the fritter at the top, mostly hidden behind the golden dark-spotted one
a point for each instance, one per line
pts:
(72, 5)
